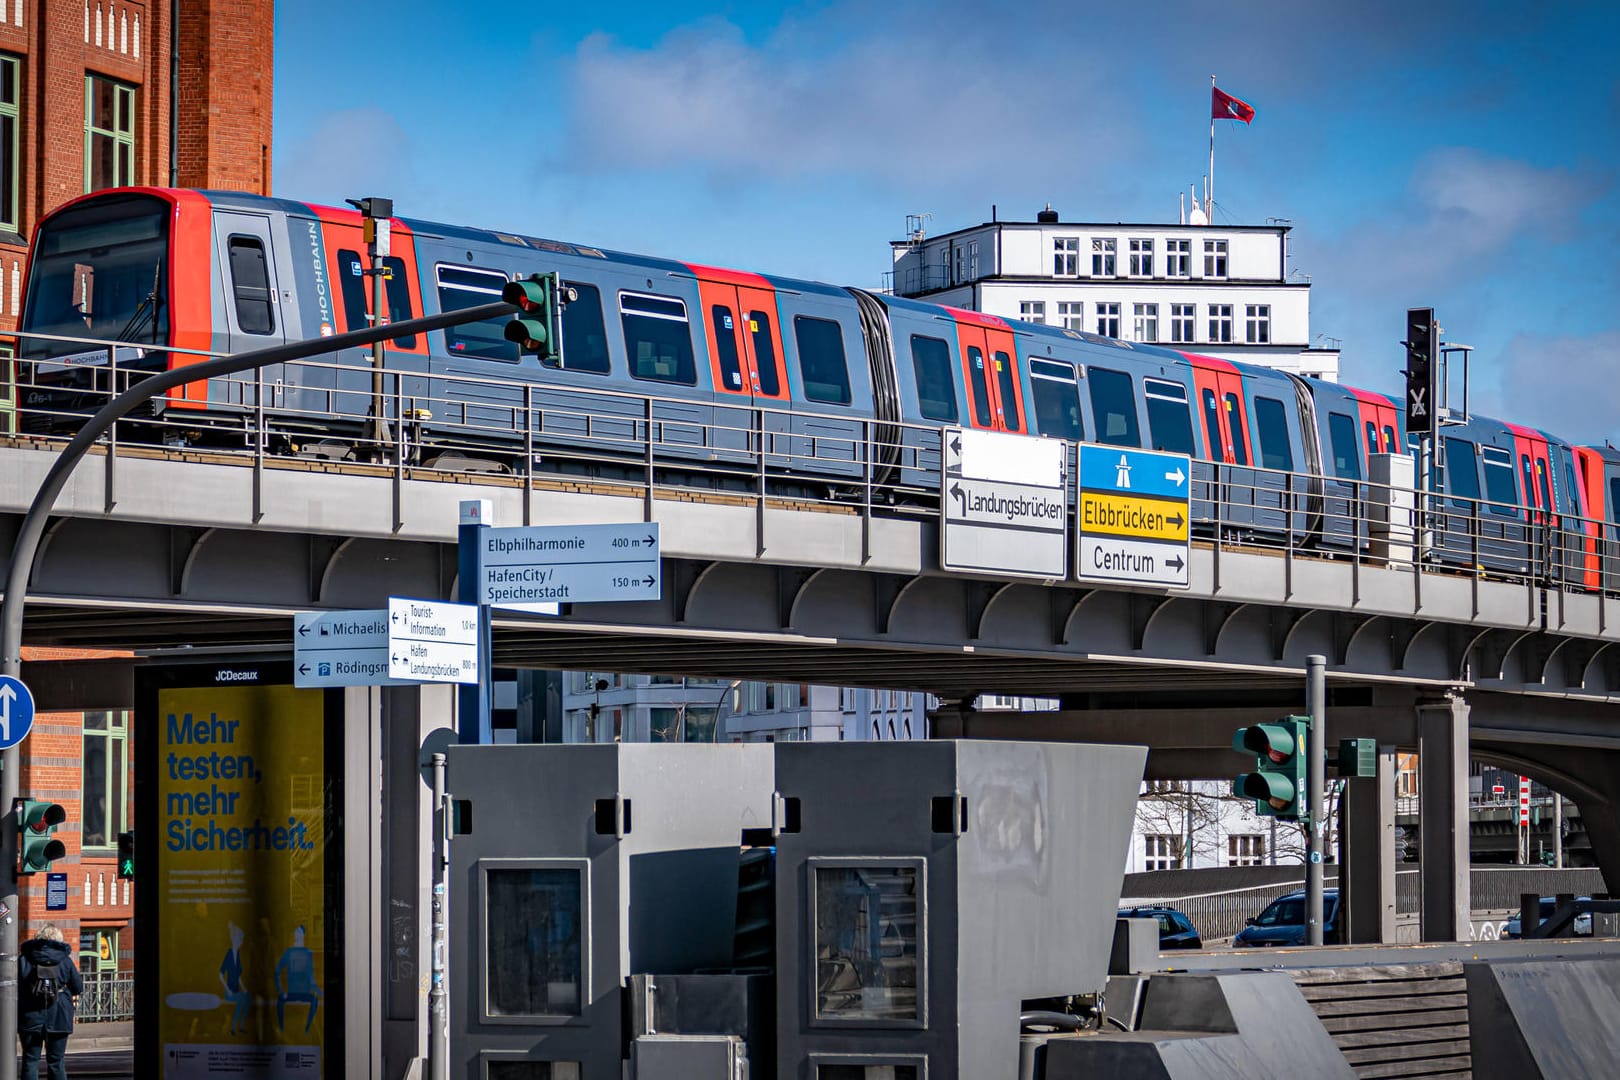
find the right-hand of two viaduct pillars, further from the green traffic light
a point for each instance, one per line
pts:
(1443, 812)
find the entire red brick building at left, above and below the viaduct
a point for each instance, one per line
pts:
(92, 98)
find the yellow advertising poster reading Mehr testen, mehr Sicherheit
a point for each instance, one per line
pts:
(242, 786)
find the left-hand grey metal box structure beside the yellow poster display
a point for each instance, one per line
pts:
(587, 865)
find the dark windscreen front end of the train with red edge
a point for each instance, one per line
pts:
(101, 302)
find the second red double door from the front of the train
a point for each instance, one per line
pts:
(746, 346)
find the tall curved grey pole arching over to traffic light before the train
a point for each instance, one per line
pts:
(27, 548)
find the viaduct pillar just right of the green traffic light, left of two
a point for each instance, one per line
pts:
(1368, 851)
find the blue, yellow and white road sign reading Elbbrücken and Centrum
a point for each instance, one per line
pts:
(1135, 517)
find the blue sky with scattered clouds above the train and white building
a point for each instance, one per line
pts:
(1460, 156)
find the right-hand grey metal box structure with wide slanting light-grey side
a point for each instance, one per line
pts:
(927, 890)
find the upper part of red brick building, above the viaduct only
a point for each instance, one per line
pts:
(92, 98)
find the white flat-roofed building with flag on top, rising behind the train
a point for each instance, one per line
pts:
(1216, 291)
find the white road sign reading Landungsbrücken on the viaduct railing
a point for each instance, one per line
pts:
(1002, 506)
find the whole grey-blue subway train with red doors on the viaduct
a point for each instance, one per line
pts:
(837, 388)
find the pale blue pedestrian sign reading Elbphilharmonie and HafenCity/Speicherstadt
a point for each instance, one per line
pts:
(535, 568)
